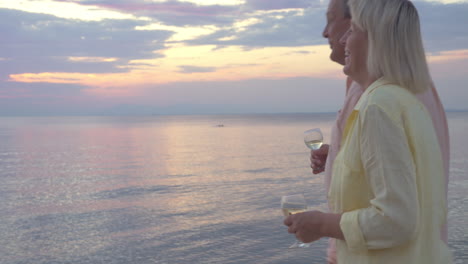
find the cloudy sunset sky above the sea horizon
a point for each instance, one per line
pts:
(140, 57)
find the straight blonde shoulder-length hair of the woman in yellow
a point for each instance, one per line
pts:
(395, 50)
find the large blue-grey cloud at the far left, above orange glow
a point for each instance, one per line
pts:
(36, 43)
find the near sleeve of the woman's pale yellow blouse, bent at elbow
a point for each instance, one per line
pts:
(392, 218)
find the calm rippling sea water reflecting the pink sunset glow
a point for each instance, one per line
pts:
(171, 189)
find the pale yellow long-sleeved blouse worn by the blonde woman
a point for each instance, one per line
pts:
(388, 182)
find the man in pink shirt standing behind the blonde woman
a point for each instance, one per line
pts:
(338, 22)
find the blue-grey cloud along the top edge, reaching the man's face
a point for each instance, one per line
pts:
(281, 22)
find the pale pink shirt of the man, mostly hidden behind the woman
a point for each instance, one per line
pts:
(436, 110)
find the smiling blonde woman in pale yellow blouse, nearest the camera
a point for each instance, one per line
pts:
(388, 187)
